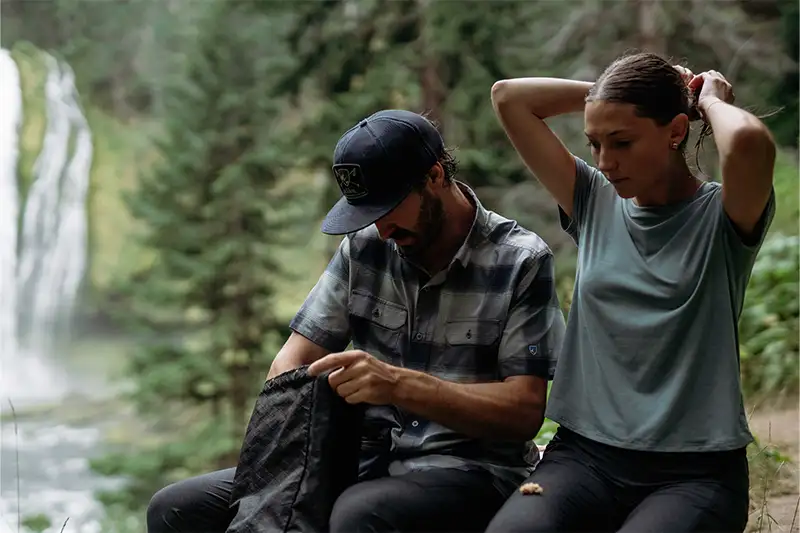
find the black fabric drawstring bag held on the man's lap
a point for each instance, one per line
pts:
(300, 452)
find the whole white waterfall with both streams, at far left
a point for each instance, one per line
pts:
(43, 266)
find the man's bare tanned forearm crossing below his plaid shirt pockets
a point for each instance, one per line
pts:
(483, 410)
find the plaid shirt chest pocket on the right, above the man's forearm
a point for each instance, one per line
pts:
(470, 350)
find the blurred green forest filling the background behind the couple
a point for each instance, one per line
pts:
(253, 93)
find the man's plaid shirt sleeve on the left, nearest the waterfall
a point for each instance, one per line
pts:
(323, 318)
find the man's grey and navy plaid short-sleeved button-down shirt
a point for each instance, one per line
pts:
(491, 314)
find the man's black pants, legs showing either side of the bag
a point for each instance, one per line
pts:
(421, 501)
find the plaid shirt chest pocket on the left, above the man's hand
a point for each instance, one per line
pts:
(377, 325)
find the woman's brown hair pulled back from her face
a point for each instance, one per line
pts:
(656, 89)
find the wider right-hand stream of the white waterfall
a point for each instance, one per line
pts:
(53, 252)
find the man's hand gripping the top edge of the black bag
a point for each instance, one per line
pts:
(359, 378)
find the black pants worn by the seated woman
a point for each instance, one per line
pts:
(589, 486)
